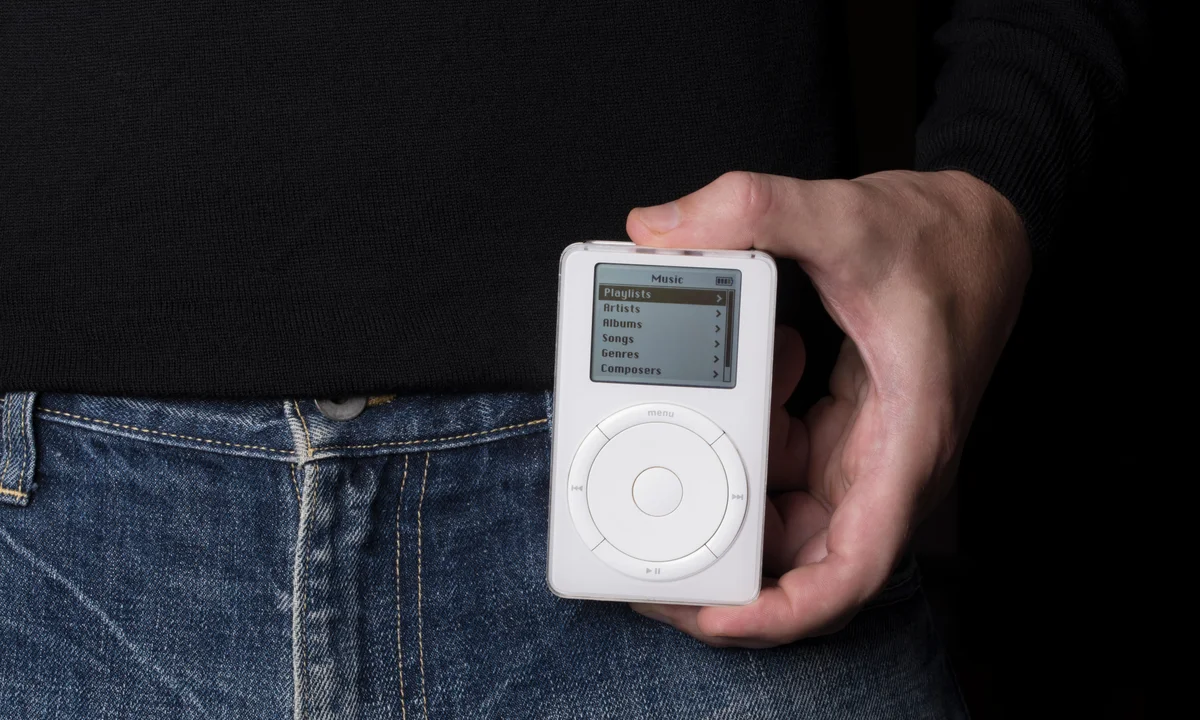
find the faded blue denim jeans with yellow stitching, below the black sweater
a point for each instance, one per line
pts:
(259, 560)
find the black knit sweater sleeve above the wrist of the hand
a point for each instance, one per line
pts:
(1030, 95)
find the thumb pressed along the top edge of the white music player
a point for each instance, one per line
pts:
(783, 217)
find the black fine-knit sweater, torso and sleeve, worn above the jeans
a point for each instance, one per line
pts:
(320, 199)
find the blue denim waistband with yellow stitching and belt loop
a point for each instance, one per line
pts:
(287, 430)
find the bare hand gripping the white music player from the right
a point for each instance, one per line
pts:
(925, 273)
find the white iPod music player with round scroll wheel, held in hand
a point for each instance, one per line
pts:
(661, 424)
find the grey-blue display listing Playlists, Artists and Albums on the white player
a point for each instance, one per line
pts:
(664, 326)
